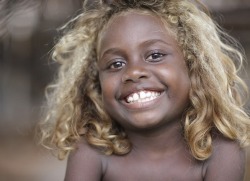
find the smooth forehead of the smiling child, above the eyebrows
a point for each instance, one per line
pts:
(134, 26)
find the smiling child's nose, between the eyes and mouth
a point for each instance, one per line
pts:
(135, 73)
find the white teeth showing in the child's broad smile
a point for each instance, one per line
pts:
(142, 96)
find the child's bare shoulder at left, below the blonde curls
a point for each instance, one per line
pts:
(84, 163)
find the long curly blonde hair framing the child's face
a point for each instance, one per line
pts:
(213, 59)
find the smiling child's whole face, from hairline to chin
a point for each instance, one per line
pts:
(142, 72)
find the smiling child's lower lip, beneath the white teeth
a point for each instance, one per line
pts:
(137, 106)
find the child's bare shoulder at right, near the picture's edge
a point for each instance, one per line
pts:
(227, 161)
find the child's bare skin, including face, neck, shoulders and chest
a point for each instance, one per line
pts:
(145, 87)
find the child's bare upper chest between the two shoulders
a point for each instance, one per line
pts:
(172, 168)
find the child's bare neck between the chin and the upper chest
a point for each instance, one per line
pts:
(163, 140)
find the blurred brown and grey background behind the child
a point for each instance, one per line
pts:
(28, 30)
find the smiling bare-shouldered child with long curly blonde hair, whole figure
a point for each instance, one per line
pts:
(147, 90)
